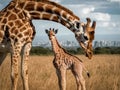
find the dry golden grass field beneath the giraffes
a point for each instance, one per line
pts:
(104, 70)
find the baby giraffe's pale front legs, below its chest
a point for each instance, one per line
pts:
(61, 73)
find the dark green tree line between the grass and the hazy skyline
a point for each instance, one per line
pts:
(99, 50)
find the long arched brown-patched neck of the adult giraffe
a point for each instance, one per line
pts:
(48, 10)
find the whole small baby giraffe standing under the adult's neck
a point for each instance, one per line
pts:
(64, 61)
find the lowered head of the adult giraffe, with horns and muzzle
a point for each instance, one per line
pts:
(85, 36)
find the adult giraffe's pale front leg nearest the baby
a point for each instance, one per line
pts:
(24, 65)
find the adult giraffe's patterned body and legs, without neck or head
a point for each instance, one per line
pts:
(16, 35)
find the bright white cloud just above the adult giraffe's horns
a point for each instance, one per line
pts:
(84, 11)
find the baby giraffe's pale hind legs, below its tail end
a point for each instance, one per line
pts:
(77, 72)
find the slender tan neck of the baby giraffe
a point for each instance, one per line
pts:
(56, 46)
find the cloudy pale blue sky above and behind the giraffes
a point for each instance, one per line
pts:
(106, 13)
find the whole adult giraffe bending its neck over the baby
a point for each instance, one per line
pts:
(17, 31)
